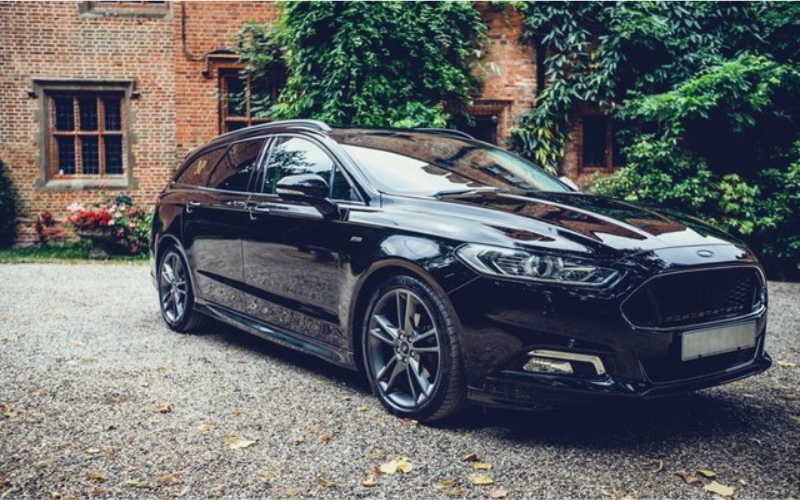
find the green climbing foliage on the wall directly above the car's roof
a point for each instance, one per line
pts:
(370, 63)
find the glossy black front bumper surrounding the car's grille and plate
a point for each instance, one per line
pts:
(502, 321)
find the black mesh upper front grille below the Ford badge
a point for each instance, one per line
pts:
(695, 297)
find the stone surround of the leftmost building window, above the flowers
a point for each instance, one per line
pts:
(44, 90)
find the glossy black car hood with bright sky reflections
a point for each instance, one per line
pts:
(576, 221)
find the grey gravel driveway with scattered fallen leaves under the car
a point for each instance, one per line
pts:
(99, 399)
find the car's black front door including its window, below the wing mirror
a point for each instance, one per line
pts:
(294, 258)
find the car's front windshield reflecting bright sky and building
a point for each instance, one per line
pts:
(425, 164)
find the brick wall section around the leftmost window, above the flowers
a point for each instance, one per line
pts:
(42, 40)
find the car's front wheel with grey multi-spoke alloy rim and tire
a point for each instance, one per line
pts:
(412, 355)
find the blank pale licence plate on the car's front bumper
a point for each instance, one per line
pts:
(713, 341)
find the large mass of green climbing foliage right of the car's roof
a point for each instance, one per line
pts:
(704, 97)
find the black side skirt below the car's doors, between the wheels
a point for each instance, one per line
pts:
(292, 341)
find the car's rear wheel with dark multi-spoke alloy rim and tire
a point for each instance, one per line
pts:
(176, 295)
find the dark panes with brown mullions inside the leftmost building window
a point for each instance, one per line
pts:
(86, 134)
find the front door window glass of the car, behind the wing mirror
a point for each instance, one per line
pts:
(294, 156)
